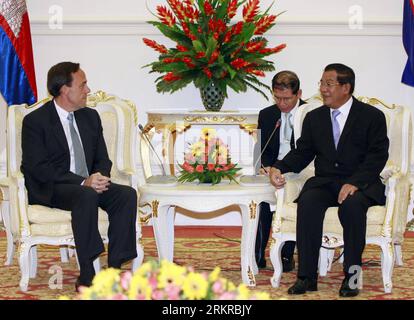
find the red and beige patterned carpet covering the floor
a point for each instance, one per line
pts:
(203, 254)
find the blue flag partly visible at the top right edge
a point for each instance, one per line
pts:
(408, 40)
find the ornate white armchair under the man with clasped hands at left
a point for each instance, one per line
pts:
(36, 224)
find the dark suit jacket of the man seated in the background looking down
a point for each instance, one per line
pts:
(268, 118)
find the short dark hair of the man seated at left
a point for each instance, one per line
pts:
(60, 75)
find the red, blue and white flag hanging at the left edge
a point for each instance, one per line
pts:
(17, 76)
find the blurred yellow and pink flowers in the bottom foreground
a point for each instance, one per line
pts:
(165, 281)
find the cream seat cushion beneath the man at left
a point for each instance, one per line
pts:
(45, 215)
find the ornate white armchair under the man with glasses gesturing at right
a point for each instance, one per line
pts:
(385, 224)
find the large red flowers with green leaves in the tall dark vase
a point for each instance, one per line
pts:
(210, 48)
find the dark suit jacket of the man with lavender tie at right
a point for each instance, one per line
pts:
(359, 159)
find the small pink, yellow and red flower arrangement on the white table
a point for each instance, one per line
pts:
(208, 160)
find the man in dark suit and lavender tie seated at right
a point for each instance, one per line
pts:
(348, 140)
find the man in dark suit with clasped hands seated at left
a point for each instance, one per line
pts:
(66, 165)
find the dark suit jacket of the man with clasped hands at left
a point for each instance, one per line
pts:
(45, 151)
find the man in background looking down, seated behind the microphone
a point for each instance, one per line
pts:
(275, 127)
